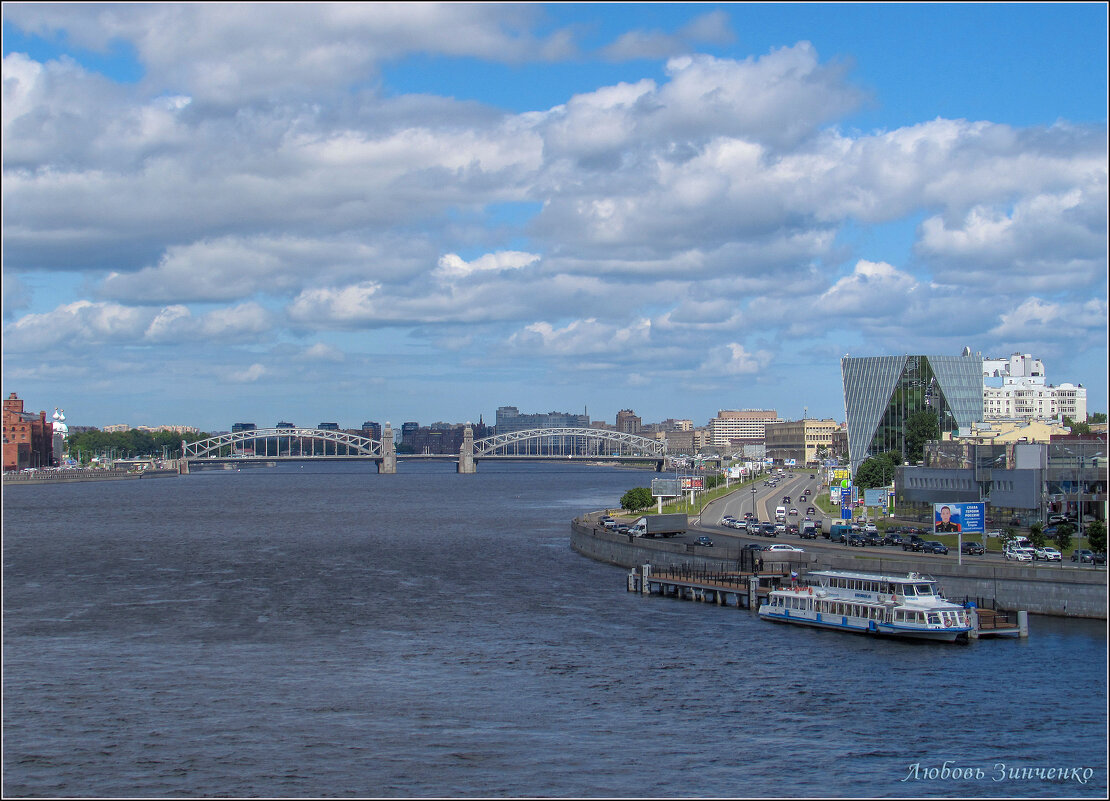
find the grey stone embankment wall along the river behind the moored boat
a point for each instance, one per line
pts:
(1042, 590)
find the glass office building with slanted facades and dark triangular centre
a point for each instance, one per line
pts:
(882, 393)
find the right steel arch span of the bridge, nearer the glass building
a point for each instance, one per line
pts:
(570, 443)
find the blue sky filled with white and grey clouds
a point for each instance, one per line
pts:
(418, 212)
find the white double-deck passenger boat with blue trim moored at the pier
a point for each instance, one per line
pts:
(845, 601)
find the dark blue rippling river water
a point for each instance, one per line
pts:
(326, 631)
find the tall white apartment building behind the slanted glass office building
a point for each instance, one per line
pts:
(1016, 389)
